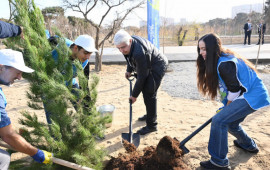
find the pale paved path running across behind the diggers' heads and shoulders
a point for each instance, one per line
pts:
(189, 53)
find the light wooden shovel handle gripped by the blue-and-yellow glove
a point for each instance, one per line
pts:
(54, 160)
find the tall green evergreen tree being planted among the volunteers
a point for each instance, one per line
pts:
(72, 134)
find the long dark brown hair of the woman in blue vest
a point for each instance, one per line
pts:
(207, 77)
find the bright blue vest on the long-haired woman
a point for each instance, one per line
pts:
(256, 93)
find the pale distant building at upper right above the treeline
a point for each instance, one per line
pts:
(247, 9)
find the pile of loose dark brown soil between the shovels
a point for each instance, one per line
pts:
(166, 155)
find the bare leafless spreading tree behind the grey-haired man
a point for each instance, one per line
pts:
(85, 7)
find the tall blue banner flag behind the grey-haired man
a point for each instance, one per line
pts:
(153, 21)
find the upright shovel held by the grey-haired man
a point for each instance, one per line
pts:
(133, 138)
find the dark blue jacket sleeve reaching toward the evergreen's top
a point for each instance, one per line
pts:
(9, 30)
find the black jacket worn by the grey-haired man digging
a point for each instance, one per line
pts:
(137, 61)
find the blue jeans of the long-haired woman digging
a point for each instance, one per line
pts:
(228, 120)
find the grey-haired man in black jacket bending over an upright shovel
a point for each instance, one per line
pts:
(150, 65)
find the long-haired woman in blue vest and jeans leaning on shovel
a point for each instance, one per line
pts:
(242, 93)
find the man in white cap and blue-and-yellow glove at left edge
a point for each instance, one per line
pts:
(11, 67)
